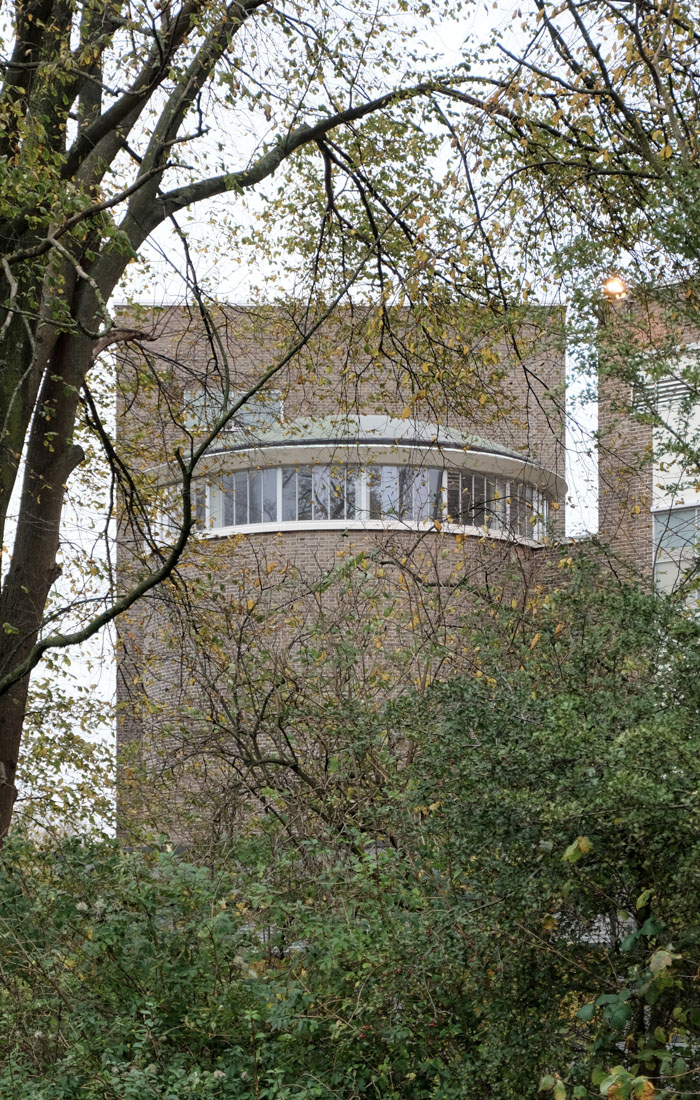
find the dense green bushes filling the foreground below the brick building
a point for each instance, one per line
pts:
(518, 908)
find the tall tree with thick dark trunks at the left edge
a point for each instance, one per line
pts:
(108, 125)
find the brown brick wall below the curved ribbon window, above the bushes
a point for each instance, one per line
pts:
(292, 623)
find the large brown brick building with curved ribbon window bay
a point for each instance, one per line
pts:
(352, 521)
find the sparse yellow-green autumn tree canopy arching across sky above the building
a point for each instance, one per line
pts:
(544, 159)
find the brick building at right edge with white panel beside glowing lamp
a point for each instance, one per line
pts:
(650, 430)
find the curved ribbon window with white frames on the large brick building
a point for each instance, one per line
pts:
(386, 493)
